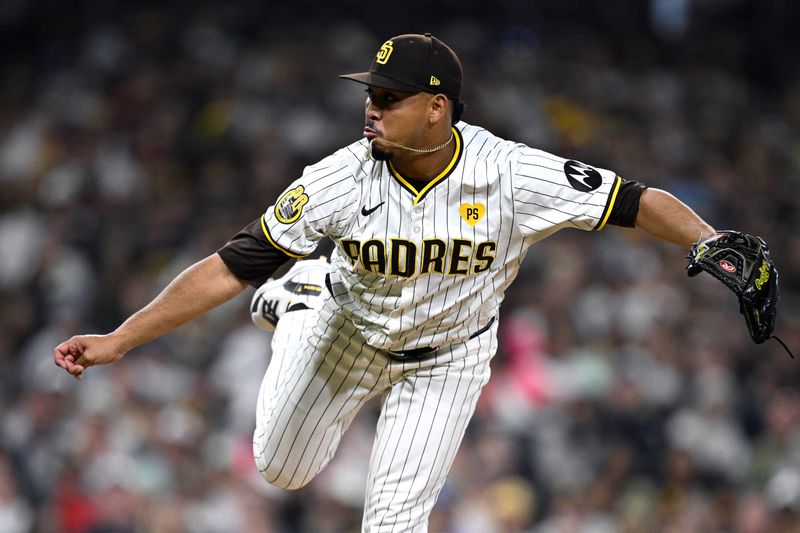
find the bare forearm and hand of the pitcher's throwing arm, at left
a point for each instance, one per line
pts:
(201, 287)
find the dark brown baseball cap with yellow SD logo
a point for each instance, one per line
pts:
(413, 63)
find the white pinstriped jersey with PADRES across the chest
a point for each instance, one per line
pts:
(416, 268)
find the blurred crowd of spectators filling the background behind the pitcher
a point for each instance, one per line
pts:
(625, 397)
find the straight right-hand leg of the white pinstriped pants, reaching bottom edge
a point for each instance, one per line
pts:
(422, 422)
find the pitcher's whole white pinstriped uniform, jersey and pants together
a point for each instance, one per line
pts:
(318, 381)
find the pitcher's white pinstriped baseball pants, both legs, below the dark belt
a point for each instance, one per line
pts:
(322, 373)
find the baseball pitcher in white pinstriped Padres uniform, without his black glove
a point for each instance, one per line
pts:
(431, 218)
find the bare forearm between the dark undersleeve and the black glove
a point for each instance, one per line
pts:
(664, 216)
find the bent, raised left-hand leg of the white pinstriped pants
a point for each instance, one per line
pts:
(320, 375)
